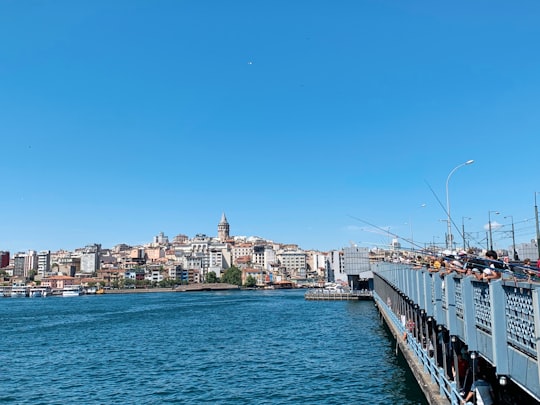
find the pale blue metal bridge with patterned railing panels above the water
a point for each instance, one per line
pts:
(438, 320)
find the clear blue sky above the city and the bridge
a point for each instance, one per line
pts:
(298, 119)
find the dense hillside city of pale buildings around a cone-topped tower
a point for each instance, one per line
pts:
(166, 263)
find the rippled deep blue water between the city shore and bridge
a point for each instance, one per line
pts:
(242, 347)
